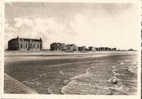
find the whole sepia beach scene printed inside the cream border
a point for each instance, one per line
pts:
(71, 48)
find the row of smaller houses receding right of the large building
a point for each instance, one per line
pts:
(56, 46)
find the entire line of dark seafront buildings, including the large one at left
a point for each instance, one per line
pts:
(36, 44)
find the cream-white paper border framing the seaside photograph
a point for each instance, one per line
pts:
(29, 96)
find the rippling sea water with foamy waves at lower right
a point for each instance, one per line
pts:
(109, 77)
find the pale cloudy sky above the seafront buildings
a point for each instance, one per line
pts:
(89, 24)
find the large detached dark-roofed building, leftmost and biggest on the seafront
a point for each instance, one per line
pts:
(25, 44)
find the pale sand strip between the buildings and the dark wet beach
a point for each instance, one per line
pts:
(56, 55)
